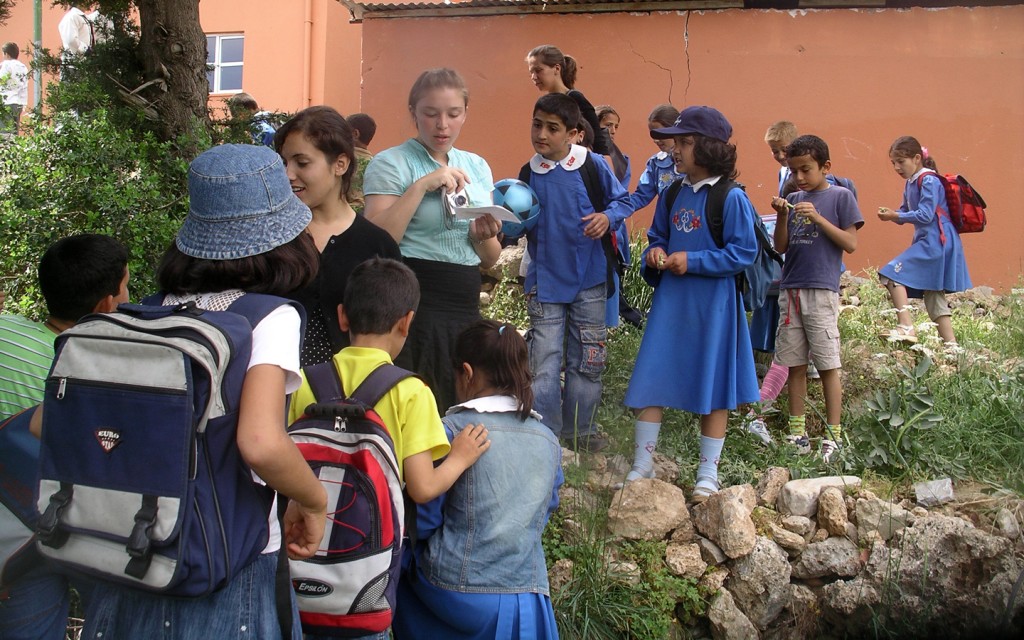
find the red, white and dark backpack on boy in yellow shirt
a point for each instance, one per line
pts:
(349, 588)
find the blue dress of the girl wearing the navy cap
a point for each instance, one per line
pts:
(696, 354)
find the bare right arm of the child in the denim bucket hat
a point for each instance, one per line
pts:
(268, 450)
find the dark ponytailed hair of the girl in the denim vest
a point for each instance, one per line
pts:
(499, 353)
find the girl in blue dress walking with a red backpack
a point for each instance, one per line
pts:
(934, 264)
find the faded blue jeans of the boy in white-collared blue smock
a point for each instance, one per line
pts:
(580, 327)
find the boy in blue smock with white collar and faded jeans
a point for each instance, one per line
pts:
(567, 282)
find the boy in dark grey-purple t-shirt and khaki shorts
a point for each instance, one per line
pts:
(815, 227)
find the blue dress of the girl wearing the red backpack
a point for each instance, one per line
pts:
(935, 260)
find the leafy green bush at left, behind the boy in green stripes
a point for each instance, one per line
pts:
(87, 175)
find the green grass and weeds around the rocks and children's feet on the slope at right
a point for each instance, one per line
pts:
(978, 395)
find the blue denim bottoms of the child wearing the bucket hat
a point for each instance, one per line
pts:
(244, 611)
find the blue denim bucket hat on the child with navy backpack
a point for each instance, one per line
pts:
(241, 204)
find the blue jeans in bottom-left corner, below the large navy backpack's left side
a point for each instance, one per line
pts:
(35, 607)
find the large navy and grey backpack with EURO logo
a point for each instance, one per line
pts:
(142, 482)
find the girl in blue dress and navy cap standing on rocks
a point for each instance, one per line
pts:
(696, 355)
